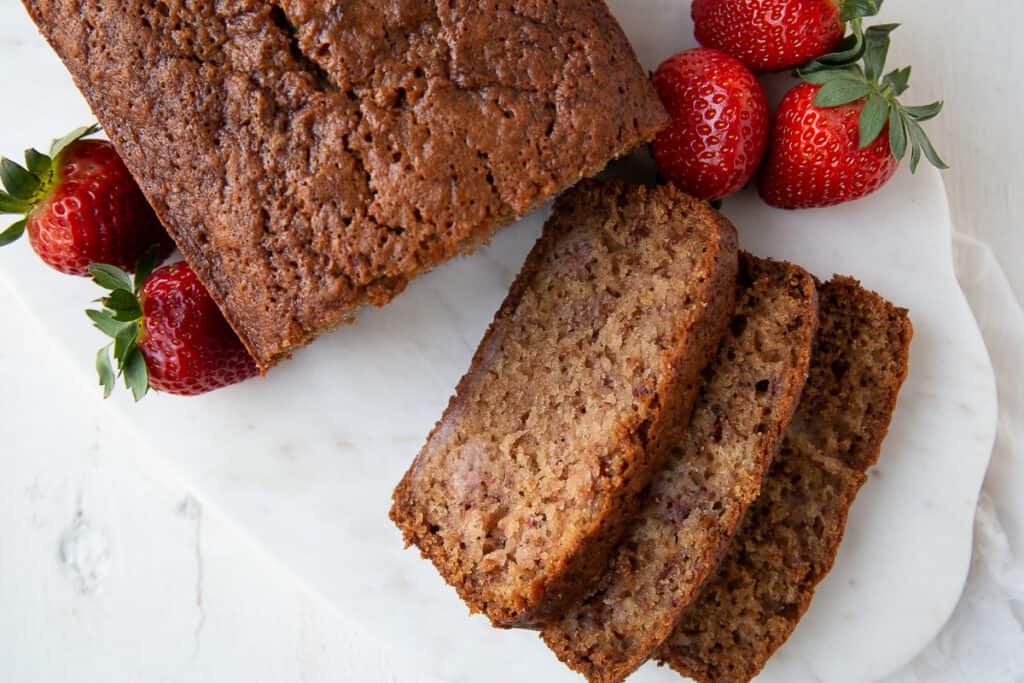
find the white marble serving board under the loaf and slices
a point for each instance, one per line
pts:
(305, 460)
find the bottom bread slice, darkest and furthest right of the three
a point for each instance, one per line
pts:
(789, 541)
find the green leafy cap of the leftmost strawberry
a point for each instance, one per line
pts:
(25, 187)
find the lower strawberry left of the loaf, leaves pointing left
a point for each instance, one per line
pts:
(168, 333)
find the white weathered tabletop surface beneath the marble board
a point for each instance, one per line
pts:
(109, 574)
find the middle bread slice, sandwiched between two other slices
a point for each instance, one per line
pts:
(697, 502)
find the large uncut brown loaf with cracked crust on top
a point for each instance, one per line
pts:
(313, 157)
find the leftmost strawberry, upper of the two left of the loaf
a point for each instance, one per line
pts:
(81, 206)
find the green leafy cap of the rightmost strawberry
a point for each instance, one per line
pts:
(856, 73)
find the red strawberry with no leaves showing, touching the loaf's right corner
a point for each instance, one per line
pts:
(719, 123)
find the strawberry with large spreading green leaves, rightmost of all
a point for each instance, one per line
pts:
(842, 134)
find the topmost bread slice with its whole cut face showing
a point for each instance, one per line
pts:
(580, 389)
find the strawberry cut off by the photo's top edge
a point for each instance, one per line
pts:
(776, 35)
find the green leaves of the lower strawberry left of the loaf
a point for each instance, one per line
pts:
(121, 320)
